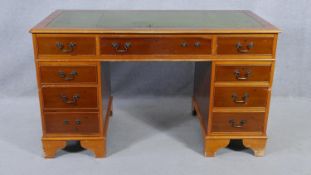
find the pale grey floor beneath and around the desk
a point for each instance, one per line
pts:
(153, 136)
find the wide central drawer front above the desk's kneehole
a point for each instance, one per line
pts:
(155, 45)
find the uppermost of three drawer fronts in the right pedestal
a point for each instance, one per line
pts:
(242, 73)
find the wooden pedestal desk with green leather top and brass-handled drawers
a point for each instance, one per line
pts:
(233, 51)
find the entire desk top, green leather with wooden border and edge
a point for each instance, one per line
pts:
(153, 21)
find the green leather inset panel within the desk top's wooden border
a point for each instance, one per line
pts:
(155, 19)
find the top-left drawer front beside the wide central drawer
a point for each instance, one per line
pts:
(66, 45)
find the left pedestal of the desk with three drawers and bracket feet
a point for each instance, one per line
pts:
(75, 105)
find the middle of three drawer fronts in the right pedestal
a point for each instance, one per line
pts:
(240, 97)
